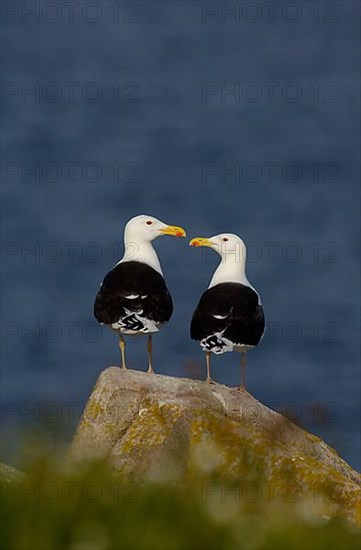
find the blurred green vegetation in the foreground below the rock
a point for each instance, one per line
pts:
(53, 508)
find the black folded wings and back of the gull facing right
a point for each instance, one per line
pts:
(133, 287)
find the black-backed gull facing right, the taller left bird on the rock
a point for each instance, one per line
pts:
(133, 297)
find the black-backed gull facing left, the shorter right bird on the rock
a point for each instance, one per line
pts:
(229, 316)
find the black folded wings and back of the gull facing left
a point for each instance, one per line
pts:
(231, 309)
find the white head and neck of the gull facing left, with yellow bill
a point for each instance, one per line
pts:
(232, 250)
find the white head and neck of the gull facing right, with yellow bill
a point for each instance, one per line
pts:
(139, 233)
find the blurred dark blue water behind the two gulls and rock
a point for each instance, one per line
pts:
(309, 289)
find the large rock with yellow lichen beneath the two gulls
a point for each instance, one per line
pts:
(163, 427)
